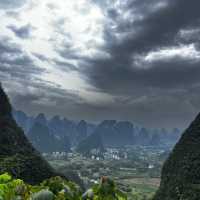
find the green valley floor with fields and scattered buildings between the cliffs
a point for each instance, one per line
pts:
(139, 177)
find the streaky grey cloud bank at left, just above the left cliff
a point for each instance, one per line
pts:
(20, 76)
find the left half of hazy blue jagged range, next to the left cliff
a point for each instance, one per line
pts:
(55, 134)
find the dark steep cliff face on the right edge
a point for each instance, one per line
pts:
(181, 171)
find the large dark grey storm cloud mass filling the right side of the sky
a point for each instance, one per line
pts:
(149, 27)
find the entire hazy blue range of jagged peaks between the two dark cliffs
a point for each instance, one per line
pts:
(59, 134)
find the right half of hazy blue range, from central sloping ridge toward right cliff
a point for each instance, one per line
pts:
(114, 134)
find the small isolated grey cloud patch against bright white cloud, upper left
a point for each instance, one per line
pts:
(23, 32)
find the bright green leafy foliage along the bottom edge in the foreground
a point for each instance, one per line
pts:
(56, 188)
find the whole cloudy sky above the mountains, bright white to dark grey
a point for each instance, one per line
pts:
(136, 60)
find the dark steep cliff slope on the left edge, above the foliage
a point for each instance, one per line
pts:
(17, 155)
